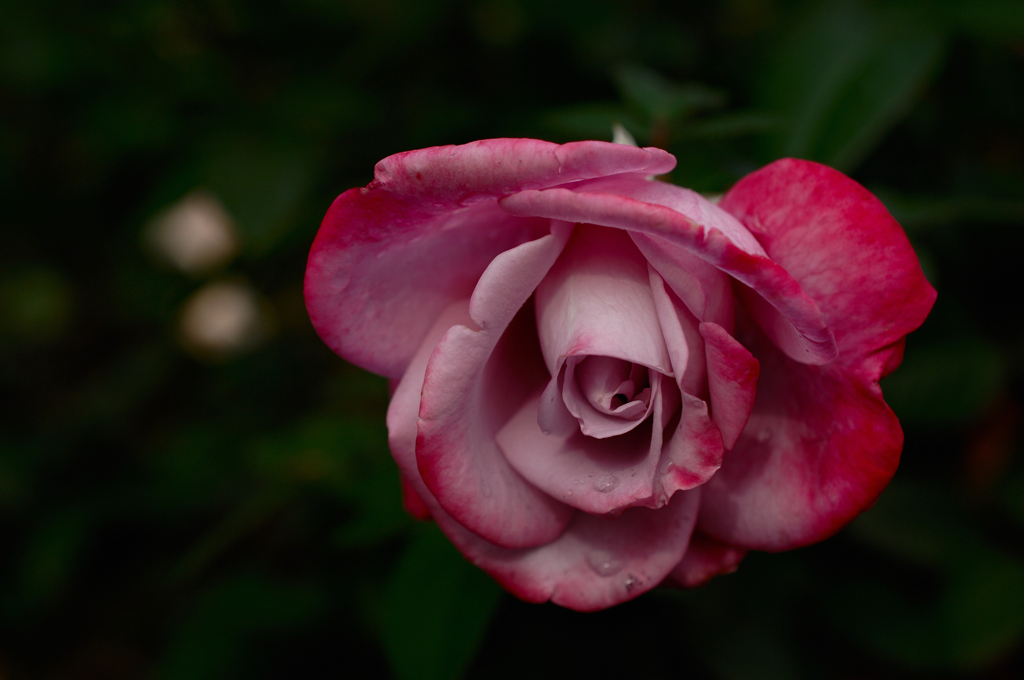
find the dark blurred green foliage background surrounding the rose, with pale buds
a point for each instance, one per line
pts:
(193, 487)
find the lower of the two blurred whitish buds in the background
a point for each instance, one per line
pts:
(224, 319)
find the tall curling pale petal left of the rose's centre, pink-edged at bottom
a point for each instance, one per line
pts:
(475, 382)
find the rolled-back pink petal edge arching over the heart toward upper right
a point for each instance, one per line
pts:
(791, 317)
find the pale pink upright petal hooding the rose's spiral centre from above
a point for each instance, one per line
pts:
(596, 301)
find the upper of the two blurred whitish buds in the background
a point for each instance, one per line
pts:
(196, 235)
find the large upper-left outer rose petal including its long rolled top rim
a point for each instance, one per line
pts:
(373, 283)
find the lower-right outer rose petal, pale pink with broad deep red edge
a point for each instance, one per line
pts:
(819, 449)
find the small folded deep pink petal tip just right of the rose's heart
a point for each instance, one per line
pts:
(733, 381)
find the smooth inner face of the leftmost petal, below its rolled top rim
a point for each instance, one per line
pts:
(374, 286)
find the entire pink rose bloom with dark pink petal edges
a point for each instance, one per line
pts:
(604, 382)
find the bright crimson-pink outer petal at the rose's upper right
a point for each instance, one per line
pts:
(843, 247)
